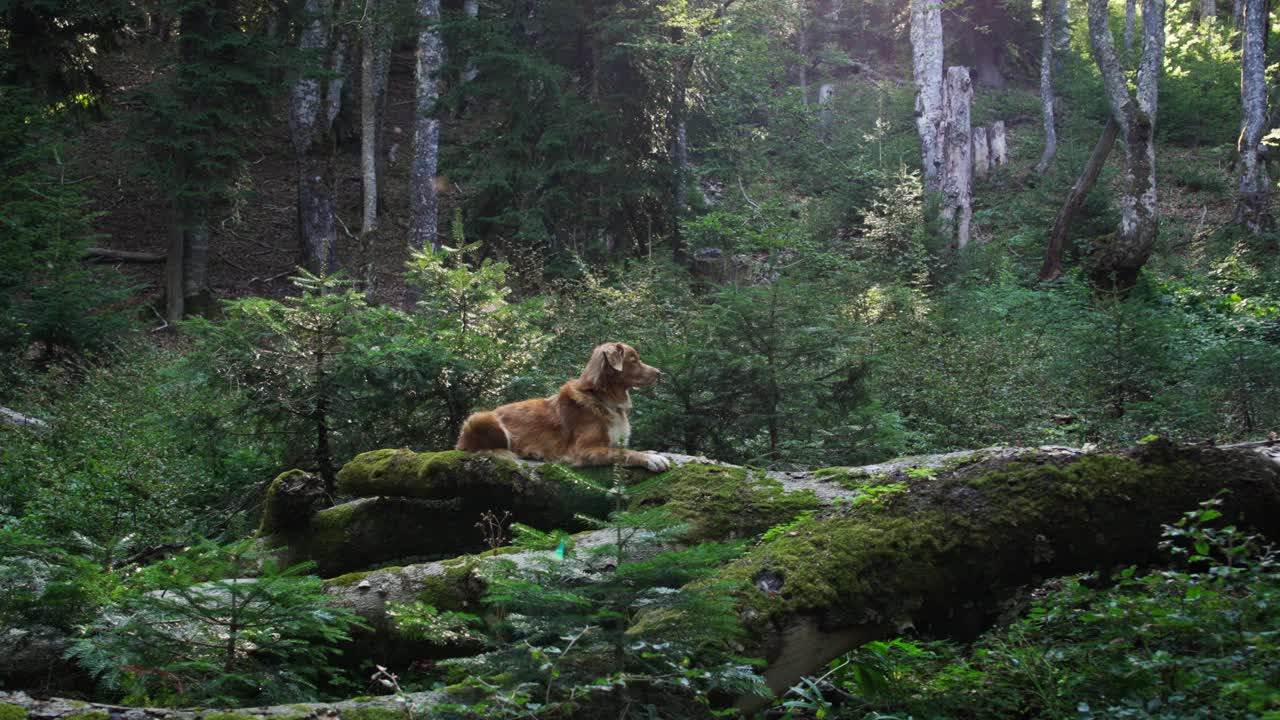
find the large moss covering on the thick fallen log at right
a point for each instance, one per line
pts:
(964, 534)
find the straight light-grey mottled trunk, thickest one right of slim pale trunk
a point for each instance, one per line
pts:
(423, 231)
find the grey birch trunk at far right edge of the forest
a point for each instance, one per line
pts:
(1252, 209)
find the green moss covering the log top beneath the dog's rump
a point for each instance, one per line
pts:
(405, 473)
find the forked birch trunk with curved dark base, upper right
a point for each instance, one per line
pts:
(1121, 261)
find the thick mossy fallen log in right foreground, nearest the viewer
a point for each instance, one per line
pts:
(941, 552)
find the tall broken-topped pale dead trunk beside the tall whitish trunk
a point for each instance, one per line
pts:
(957, 156)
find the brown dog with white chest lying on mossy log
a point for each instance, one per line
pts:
(586, 423)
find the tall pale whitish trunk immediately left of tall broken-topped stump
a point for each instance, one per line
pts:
(927, 74)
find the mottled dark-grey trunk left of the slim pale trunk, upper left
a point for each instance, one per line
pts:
(314, 107)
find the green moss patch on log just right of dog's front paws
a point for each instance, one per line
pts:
(723, 503)
